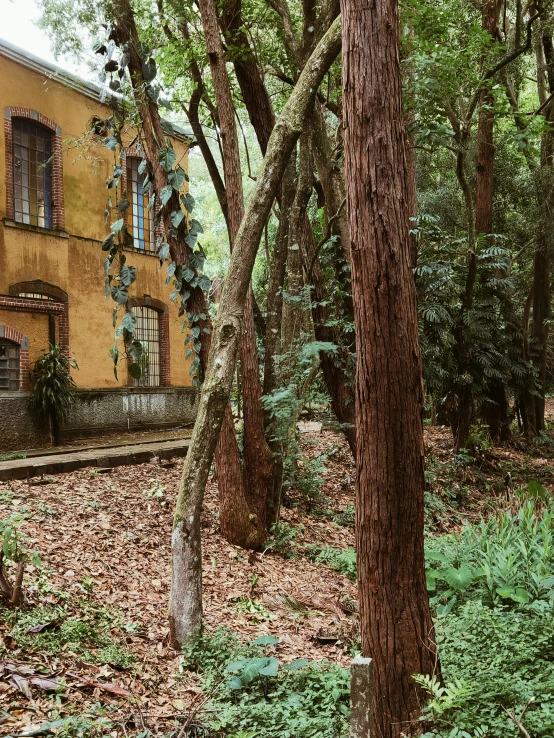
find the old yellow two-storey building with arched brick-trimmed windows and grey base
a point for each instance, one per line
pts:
(52, 201)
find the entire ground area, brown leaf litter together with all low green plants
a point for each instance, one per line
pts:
(101, 625)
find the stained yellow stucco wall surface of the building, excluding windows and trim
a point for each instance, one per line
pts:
(75, 262)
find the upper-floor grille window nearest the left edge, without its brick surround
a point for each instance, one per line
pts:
(32, 173)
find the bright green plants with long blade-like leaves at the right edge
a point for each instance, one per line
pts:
(505, 561)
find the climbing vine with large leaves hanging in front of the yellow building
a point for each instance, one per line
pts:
(184, 270)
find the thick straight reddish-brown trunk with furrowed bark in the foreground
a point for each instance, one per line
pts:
(395, 619)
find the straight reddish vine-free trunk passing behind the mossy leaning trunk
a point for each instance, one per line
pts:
(257, 457)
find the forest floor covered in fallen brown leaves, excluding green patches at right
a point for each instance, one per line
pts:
(92, 638)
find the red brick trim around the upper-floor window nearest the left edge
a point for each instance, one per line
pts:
(58, 210)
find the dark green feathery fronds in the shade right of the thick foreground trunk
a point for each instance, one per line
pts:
(491, 330)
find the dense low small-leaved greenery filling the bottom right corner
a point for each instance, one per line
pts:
(493, 660)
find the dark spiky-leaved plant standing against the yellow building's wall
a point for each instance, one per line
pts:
(53, 388)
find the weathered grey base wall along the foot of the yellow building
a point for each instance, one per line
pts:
(95, 411)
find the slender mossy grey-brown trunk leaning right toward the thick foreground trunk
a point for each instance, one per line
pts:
(185, 608)
